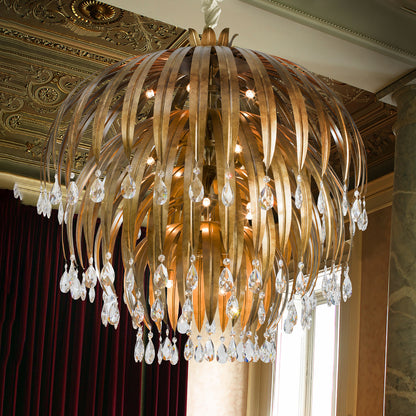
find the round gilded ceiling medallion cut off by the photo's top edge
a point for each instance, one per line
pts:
(95, 12)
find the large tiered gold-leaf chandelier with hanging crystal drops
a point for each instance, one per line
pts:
(237, 164)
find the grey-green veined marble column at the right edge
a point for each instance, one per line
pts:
(400, 399)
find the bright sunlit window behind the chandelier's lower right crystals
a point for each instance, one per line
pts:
(305, 374)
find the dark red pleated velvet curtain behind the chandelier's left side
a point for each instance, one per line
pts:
(56, 358)
